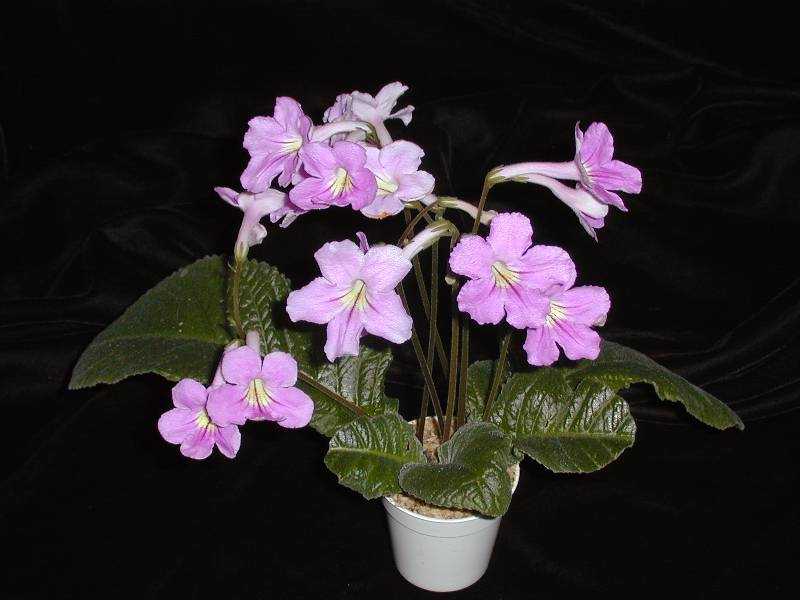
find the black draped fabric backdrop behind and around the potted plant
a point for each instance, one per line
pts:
(117, 119)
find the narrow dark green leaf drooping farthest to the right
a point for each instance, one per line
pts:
(619, 366)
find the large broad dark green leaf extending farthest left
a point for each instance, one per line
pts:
(176, 330)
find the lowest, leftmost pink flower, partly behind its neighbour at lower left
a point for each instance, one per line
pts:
(190, 425)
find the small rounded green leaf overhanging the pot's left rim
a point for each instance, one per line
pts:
(368, 453)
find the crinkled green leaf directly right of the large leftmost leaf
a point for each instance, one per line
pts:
(262, 296)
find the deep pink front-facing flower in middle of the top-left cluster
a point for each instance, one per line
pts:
(337, 176)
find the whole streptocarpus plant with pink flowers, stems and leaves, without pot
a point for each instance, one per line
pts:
(212, 326)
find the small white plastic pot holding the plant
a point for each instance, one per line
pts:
(441, 555)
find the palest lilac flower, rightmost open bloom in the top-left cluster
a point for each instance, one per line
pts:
(396, 170)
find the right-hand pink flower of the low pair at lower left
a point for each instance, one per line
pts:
(259, 390)
